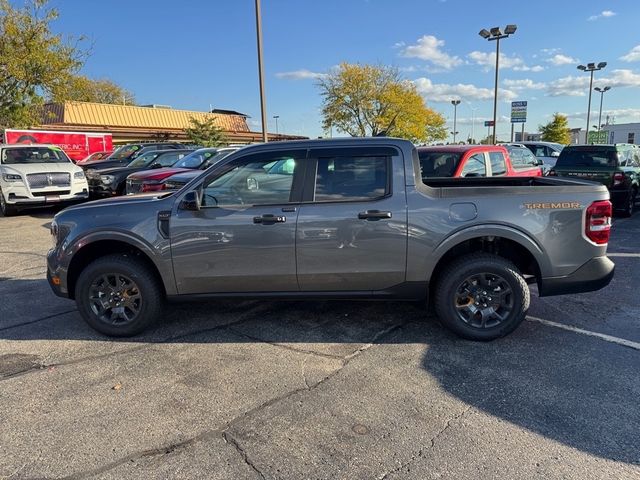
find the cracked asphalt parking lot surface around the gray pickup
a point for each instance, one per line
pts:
(254, 389)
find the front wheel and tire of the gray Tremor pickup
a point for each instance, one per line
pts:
(118, 295)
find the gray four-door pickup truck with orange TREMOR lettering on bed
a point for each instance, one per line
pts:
(348, 218)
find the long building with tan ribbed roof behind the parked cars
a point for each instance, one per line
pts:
(132, 123)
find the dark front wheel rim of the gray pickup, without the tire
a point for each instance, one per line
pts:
(115, 299)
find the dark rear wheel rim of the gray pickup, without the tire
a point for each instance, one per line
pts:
(484, 300)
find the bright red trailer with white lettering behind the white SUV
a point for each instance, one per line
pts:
(77, 145)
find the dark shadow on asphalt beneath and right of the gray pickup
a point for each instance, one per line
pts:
(578, 391)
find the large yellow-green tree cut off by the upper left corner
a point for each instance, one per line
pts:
(35, 63)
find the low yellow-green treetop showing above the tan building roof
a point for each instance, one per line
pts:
(83, 89)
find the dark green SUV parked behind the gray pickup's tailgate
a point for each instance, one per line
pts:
(616, 166)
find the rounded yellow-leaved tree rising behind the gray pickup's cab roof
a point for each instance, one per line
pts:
(369, 100)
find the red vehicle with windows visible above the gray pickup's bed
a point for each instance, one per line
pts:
(478, 161)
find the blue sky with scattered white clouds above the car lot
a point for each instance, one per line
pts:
(194, 53)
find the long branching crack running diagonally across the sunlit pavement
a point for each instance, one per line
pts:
(226, 435)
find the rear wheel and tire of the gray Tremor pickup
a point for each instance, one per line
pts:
(481, 296)
